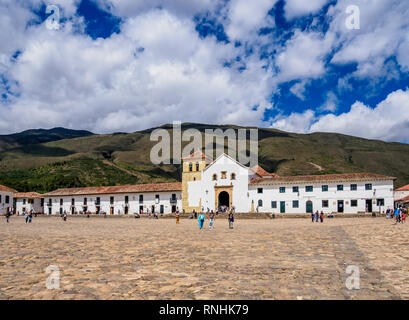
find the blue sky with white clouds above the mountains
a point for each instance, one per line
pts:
(122, 65)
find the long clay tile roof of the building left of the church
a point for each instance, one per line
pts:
(137, 188)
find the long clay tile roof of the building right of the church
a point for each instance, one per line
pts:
(327, 177)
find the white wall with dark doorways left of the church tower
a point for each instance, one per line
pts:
(119, 203)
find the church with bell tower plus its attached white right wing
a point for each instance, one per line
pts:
(225, 182)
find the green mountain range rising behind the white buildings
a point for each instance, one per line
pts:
(44, 160)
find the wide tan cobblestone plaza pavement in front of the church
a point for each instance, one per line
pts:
(157, 259)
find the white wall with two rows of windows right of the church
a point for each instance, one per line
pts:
(380, 190)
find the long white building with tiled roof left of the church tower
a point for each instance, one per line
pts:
(128, 199)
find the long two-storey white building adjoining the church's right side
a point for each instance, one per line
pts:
(341, 193)
